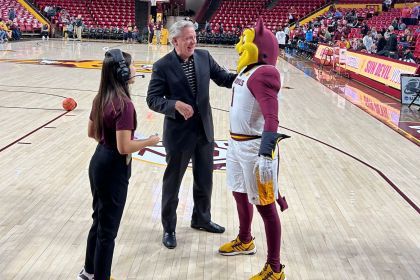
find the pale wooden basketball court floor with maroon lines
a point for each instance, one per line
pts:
(350, 216)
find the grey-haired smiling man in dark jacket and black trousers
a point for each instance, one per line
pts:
(179, 89)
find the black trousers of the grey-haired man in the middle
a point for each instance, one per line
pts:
(202, 163)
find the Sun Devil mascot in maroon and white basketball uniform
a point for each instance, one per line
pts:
(252, 160)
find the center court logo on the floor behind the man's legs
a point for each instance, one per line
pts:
(157, 155)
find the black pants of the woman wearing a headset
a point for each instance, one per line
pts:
(108, 175)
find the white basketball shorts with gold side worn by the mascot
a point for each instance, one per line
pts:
(240, 162)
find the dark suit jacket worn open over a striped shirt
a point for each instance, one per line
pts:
(169, 84)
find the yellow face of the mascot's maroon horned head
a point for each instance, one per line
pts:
(247, 50)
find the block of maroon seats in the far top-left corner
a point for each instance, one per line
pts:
(25, 20)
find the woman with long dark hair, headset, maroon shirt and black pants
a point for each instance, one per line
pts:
(112, 124)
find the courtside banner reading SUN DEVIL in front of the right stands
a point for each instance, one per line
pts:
(382, 70)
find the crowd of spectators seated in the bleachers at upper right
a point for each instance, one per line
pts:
(363, 30)
